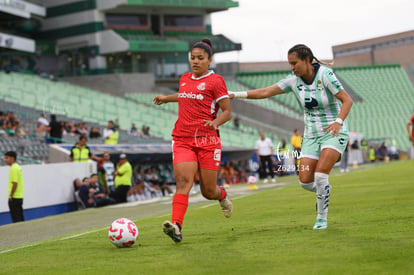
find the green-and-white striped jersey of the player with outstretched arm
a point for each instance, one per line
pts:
(317, 99)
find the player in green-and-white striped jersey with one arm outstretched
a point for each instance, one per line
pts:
(326, 136)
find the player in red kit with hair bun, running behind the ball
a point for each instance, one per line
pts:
(196, 140)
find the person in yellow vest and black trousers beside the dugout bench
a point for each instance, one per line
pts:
(123, 177)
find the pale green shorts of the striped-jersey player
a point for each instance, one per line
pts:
(312, 147)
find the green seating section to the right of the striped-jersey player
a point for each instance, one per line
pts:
(387, 101)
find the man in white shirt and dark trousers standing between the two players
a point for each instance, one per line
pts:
(264, 152)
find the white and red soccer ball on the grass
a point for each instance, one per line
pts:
(123, 232)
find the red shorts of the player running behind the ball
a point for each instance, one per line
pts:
(204, 150)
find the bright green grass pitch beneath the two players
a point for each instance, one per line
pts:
(370, 232)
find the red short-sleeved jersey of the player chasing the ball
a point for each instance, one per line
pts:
(197, 101)
